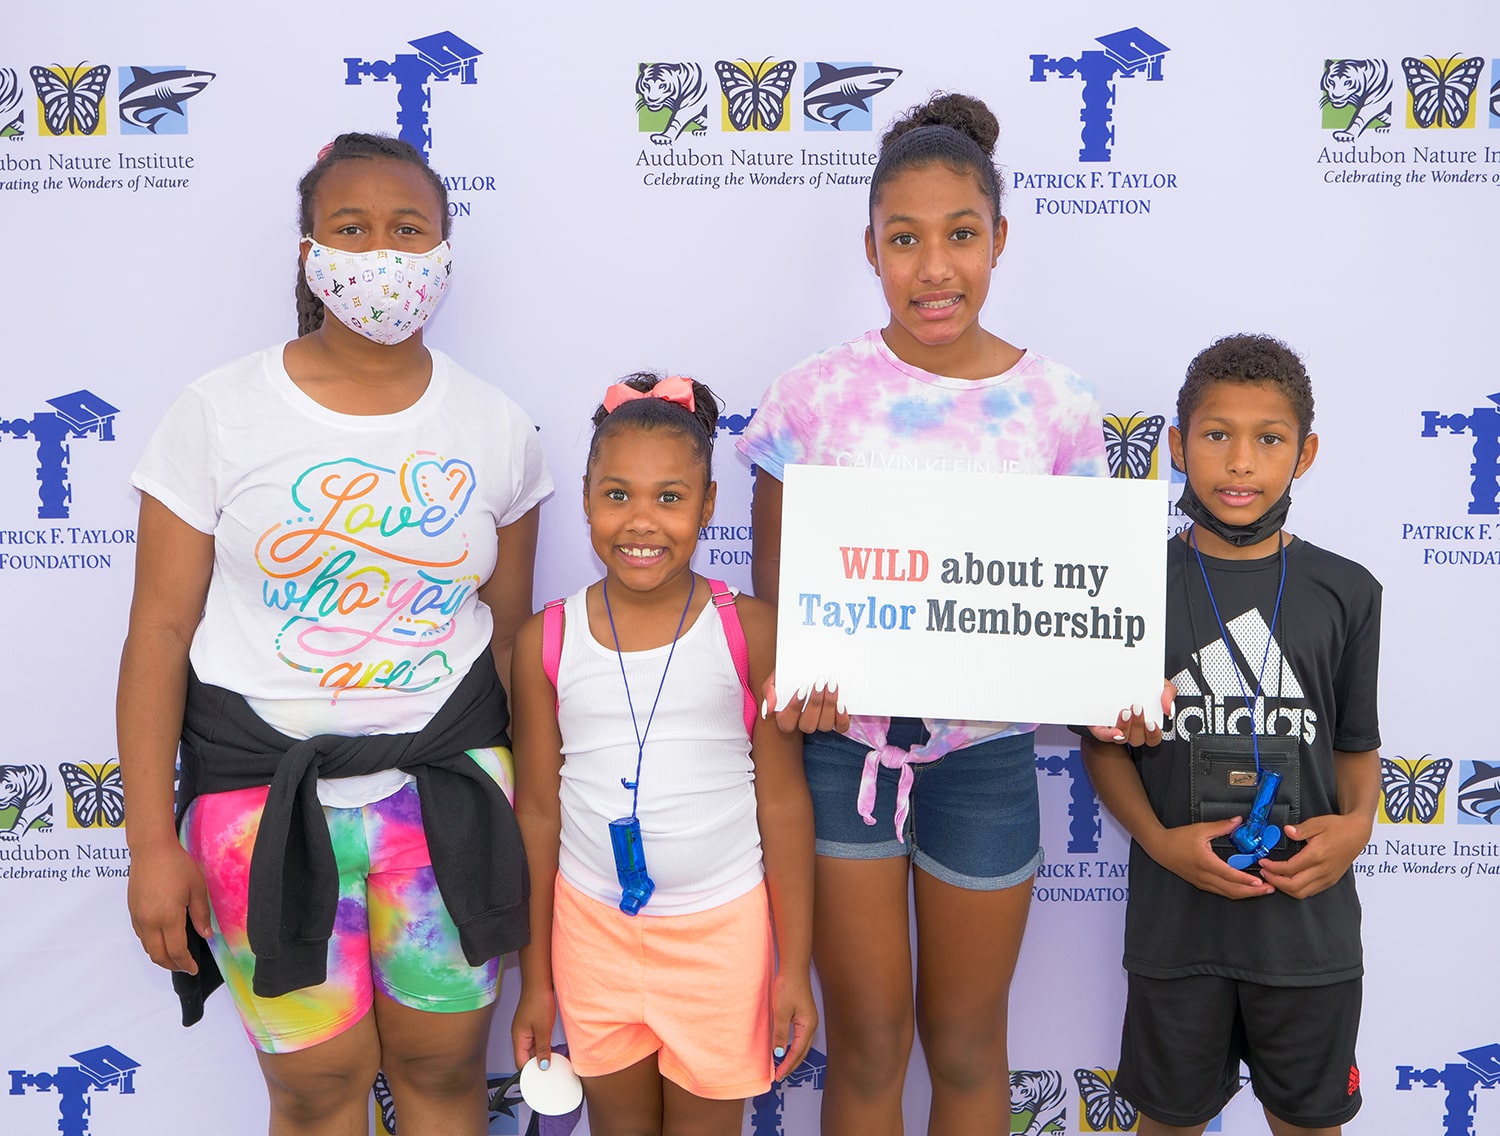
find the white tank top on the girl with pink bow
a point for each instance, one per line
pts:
(697, 807)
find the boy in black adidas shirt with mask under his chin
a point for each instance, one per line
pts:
(1273, 646)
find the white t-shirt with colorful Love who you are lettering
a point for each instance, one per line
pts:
(349, 550)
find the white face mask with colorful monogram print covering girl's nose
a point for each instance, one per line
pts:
(383, 295)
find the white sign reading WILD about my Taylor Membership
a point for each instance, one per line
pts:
(1000, 598)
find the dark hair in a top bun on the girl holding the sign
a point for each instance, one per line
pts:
(955, 130)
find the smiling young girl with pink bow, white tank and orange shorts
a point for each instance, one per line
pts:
(668, 826)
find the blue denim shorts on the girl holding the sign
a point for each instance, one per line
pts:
(974, 817)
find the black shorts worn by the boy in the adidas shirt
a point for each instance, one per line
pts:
(1184, 1041)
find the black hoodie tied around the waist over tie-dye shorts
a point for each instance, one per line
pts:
(478, 858)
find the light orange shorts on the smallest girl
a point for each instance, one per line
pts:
(692, 990)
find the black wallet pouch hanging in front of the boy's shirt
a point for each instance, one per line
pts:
(1223, 783)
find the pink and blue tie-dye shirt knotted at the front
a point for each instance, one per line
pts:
(857, 406)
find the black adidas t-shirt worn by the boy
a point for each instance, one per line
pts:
(1321, 685)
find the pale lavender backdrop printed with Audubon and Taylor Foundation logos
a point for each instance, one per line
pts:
(1175, 172)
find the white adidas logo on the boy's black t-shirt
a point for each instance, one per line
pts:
(1232, 675)
